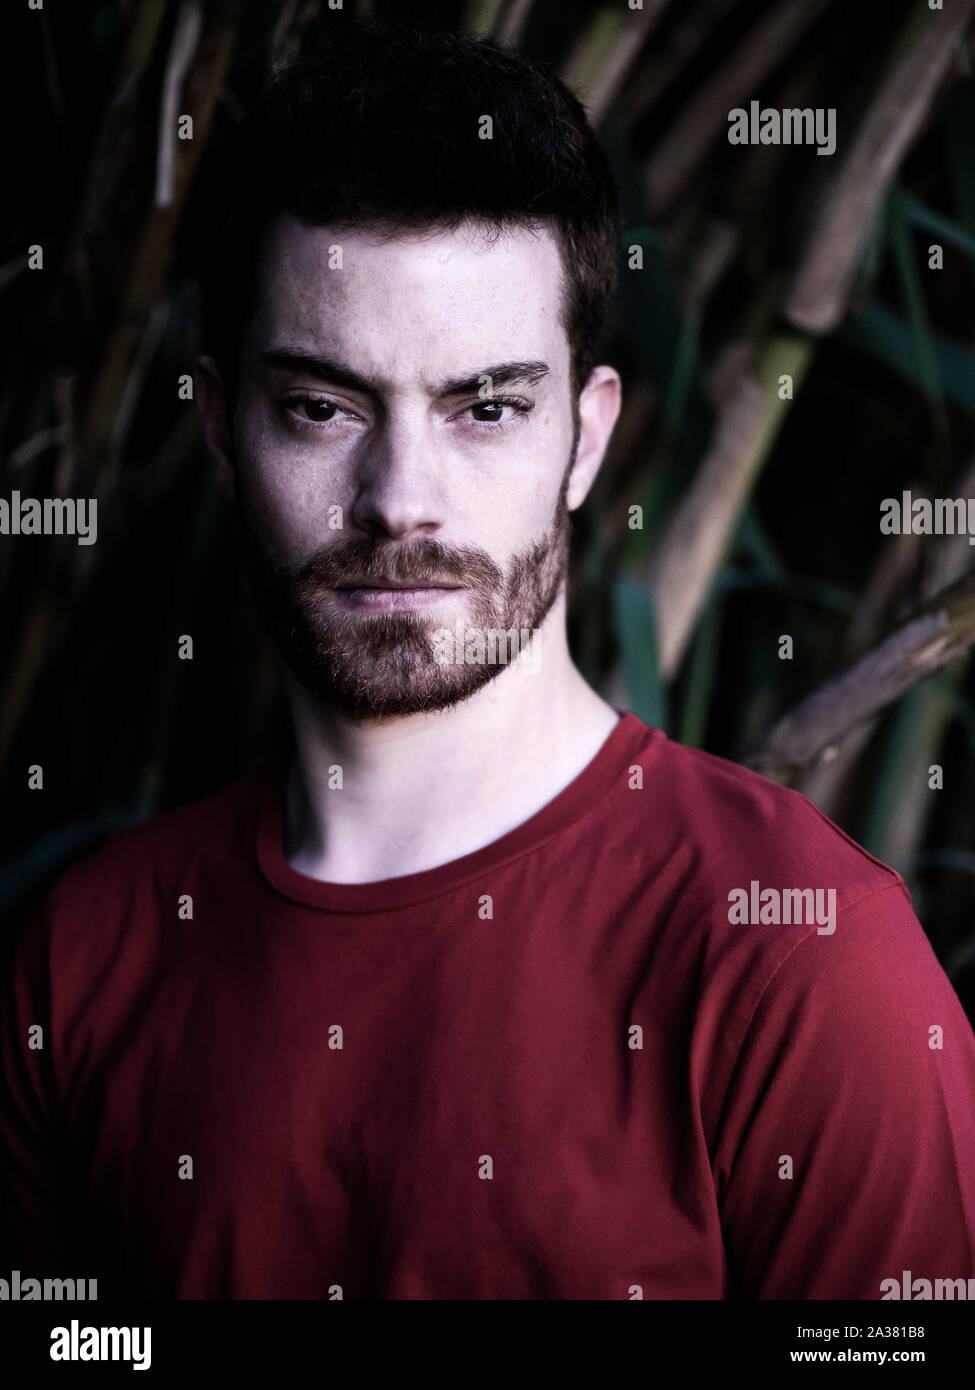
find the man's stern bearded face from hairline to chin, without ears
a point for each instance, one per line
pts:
(404, 444)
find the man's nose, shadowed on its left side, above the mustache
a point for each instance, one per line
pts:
(400, 486)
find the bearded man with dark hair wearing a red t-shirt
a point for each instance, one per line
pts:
(493, 992)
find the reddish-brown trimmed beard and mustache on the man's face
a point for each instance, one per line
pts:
(375, 667)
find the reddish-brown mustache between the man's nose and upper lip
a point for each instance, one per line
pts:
(419, 561)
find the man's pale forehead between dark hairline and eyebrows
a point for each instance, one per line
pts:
(414, 304)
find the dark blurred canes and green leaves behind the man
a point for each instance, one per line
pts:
(884, 402)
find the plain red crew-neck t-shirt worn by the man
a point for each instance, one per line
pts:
(575, 1064)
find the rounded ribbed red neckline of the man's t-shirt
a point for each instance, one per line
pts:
(602, 775)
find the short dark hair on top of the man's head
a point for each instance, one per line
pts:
(378, 127)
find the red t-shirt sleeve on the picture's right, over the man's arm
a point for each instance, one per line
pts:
(846, 1149)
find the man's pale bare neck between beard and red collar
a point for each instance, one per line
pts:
(428, 789)
